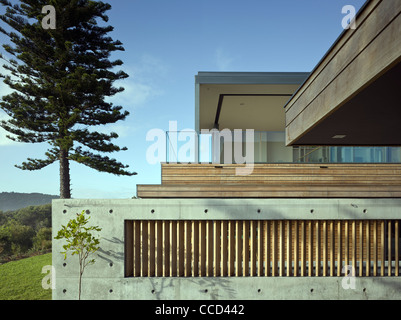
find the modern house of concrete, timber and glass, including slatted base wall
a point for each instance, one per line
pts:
(311, 210)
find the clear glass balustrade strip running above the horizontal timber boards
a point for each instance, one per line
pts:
(239, 147)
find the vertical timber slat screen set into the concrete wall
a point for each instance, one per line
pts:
(242, 248)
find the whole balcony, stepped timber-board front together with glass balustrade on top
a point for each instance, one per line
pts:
(226, 165)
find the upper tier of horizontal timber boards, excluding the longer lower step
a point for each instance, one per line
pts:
(282, 174)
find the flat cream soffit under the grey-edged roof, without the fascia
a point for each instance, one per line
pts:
(244, 106)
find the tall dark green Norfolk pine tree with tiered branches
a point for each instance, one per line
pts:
(61, 78)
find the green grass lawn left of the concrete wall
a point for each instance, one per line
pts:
(22, 280)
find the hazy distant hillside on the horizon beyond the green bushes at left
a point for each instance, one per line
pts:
(10, 201)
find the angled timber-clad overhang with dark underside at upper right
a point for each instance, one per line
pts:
(353, 96)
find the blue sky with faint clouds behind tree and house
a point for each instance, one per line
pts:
(166, 44)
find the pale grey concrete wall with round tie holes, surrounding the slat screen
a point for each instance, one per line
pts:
(105, 279)
